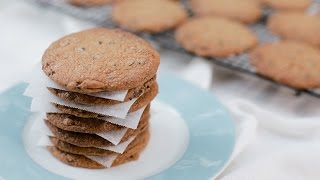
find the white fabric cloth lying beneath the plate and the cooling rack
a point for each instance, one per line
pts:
(278, 134)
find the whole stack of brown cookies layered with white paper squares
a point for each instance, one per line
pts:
(91, 69)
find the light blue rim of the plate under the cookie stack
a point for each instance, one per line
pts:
(211, 143)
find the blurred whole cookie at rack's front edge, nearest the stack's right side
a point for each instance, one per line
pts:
(215, 37)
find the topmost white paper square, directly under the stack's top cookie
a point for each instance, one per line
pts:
(39, 79)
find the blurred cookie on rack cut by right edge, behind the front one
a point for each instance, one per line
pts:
(296, 26)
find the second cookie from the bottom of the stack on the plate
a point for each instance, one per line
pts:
(92, 151)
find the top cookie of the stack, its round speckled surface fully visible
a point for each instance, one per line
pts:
(100, 59)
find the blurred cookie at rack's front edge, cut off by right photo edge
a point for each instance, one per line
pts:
(291, 63)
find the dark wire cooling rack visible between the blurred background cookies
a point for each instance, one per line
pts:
(101, 16)
